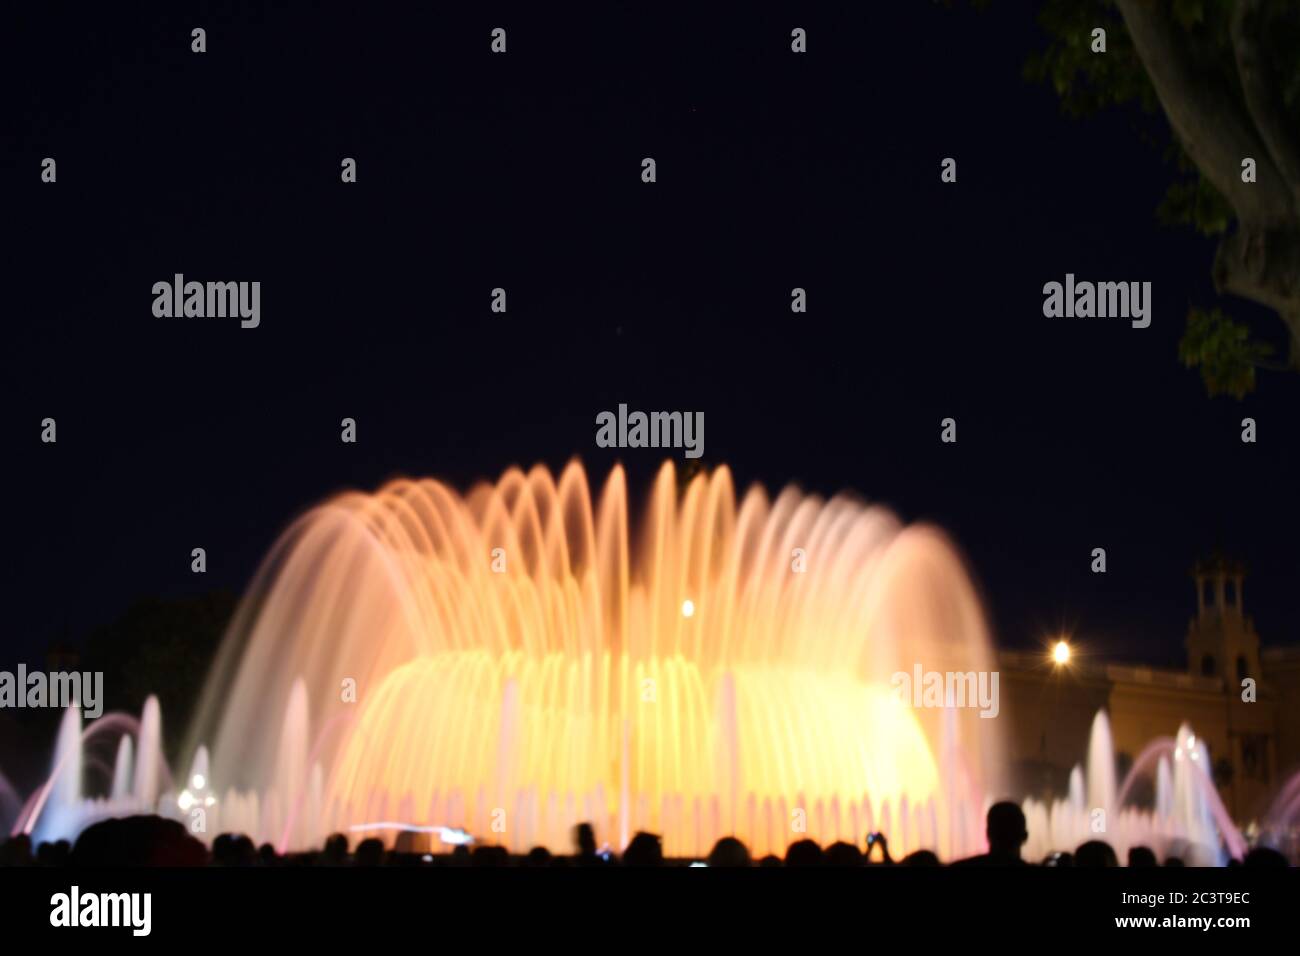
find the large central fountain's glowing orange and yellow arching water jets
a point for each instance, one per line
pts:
(522, 661)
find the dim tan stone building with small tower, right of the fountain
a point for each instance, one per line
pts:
(1254, 745)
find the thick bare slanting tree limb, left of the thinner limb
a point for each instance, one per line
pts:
(1214, 128)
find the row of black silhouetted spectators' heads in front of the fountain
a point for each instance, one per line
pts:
(158, 842)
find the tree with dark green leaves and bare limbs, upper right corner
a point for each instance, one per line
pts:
(1207, 40)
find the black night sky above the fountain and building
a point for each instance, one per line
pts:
(523, 171)
